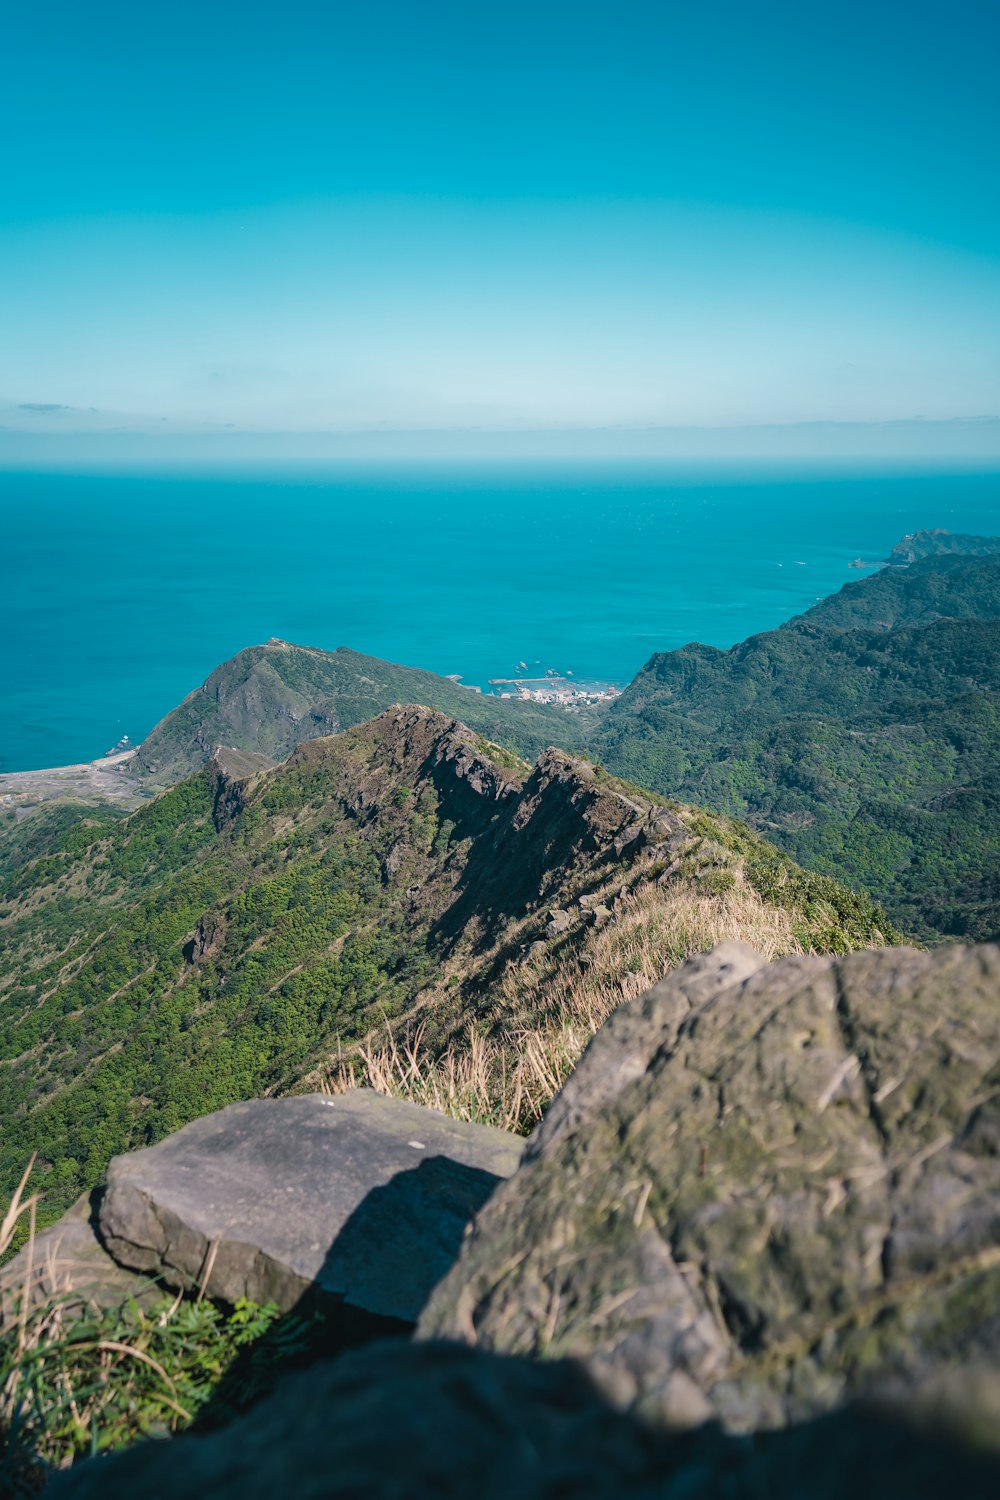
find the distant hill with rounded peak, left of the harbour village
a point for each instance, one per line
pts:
(272, 698)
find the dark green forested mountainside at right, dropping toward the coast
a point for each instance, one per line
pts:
(863, 737)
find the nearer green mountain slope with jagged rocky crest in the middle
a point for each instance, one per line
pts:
(250, 926)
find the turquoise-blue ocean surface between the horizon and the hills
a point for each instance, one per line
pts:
(121, 592)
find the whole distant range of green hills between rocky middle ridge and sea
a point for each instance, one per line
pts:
(858, 734)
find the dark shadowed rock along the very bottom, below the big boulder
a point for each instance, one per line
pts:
(443, 1423)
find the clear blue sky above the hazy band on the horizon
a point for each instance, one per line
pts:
(323, 217)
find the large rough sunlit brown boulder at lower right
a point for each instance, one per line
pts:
(764, 1190)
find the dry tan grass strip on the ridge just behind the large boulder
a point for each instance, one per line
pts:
(506, 1069)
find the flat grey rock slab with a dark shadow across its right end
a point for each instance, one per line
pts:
(361, 1198)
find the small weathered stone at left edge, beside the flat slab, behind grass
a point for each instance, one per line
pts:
(70, 1264)
